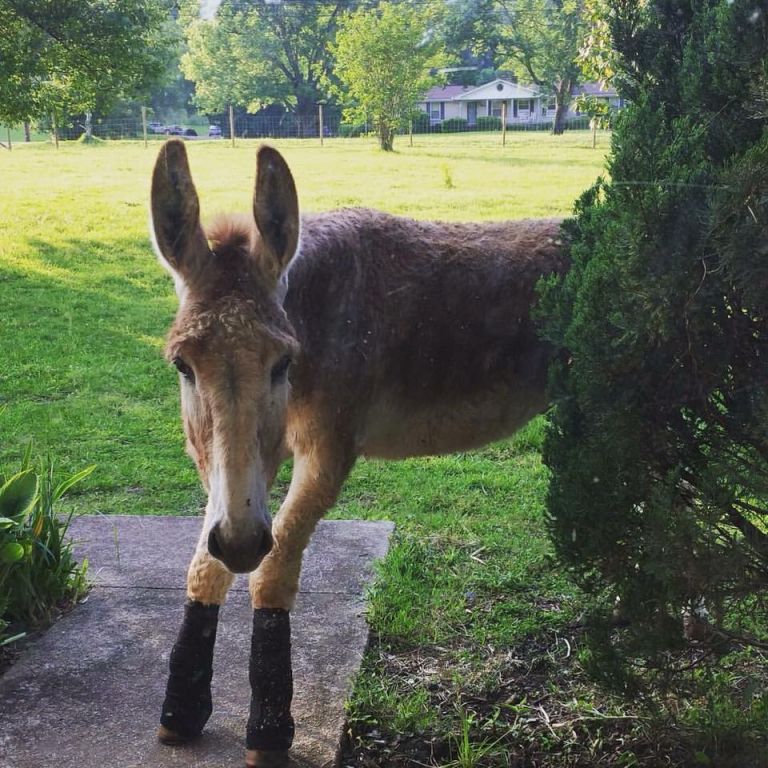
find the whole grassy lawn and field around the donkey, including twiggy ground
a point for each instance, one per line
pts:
(476, 631)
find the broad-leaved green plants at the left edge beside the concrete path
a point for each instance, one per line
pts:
(38, 572)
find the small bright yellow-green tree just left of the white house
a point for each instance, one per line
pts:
(383, 61)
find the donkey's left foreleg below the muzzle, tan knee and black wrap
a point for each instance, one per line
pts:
(188, 704)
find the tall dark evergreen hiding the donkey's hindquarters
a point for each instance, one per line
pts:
(658, 443)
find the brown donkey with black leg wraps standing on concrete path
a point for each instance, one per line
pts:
(324, 338)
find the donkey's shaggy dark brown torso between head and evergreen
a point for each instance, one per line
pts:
(416, 337)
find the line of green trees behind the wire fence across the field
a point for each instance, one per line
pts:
(68, 65)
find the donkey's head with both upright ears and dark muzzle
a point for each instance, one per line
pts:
(231, 343)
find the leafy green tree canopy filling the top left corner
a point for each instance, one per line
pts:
(77, 54)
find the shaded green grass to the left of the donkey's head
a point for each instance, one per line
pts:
(83, 373)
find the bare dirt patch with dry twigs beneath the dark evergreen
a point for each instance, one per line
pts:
(530, 706)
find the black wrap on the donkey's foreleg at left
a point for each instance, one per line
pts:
(188, 703)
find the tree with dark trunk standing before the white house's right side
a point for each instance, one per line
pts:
(542, 39)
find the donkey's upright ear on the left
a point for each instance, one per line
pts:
(180, 239)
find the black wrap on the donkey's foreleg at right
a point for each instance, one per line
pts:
(270, 725)
